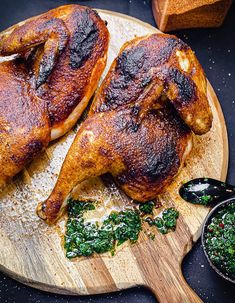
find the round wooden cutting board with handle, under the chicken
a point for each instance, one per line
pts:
(32, 252)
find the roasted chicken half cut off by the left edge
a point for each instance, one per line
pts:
(61, 55)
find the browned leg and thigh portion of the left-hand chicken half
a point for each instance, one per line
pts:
(24, 123)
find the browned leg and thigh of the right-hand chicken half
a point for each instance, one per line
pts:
(143, 159)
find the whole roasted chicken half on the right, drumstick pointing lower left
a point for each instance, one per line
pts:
(140, 122)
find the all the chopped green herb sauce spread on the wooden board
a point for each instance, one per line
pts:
(86, 238)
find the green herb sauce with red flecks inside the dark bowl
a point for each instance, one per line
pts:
(220, 240)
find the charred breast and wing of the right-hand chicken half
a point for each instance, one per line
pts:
(156, 65)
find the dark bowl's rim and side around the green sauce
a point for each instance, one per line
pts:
(211, 214)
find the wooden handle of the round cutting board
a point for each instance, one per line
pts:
(161, 272)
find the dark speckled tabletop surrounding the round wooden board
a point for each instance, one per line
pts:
(215, 49)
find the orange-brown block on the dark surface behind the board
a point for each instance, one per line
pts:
(178, 14)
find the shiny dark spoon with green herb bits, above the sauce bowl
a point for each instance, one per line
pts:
(206, 191)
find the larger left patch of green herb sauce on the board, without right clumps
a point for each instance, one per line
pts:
(85, 238)
